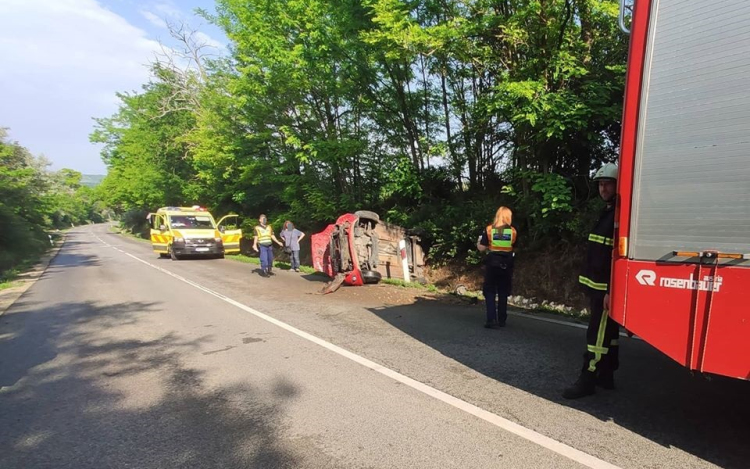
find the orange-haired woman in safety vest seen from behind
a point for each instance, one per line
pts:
(498, 238)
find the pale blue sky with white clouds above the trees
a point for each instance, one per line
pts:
(62, 61)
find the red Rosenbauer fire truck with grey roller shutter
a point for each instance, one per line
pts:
(681, 268)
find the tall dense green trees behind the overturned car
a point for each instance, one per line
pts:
(430, 112)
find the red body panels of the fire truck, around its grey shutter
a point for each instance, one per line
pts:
(699, 315)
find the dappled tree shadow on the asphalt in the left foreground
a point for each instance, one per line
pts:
(62, 402)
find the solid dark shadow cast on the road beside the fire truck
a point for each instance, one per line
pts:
(656, 398)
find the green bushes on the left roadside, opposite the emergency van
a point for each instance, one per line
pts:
(34, 200)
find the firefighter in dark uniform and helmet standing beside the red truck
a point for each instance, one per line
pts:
(601, 358)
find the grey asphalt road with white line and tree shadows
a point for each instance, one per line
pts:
(117, 359)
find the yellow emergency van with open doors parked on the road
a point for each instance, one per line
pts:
(177, 232)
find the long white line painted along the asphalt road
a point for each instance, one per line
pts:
(500, 422)
